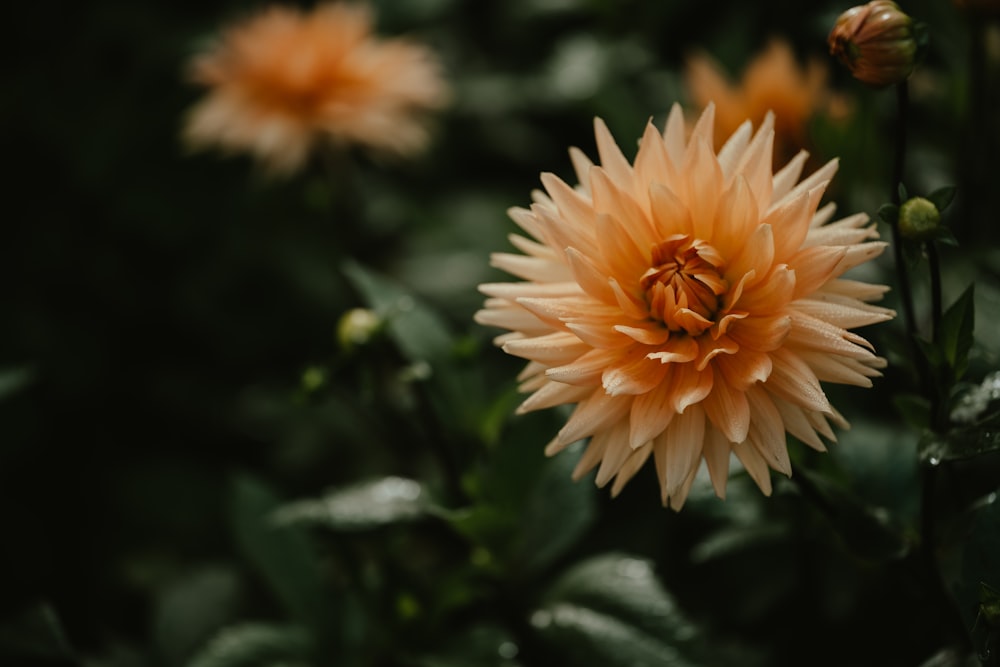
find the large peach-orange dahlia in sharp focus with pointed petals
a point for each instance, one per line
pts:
(689, 304)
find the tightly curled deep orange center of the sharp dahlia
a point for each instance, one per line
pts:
(683, 285)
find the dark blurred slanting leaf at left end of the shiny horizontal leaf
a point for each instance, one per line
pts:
(280, 554)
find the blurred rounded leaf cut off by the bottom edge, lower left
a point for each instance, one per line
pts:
(256, 645)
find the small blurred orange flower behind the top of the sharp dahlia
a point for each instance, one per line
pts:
(774, 81)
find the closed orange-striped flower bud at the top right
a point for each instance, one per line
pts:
(876, 41)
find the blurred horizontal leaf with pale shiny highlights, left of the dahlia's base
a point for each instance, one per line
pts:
(362, 506)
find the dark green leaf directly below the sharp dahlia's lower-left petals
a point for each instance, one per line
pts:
(556, 515)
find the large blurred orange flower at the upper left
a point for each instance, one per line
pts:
(284, 79)
